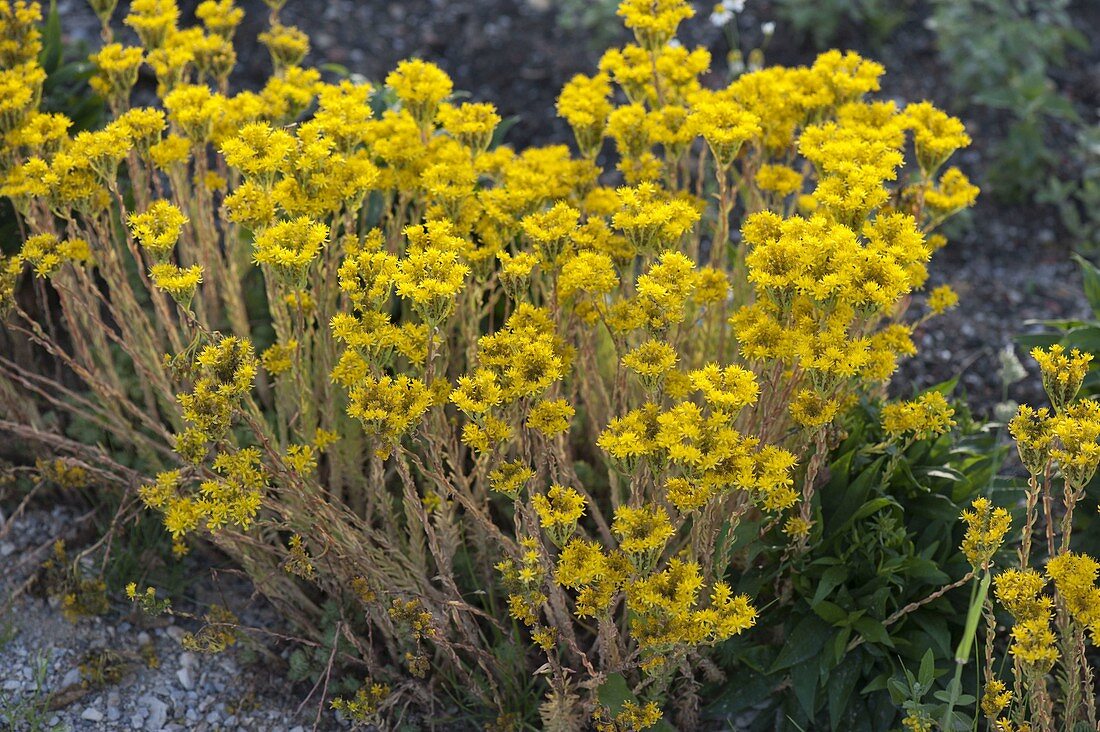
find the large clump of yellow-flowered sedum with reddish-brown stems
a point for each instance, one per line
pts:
(502, 410)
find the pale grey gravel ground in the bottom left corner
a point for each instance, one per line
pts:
(41, 654)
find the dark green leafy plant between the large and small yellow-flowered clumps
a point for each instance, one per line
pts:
(868, 600)
